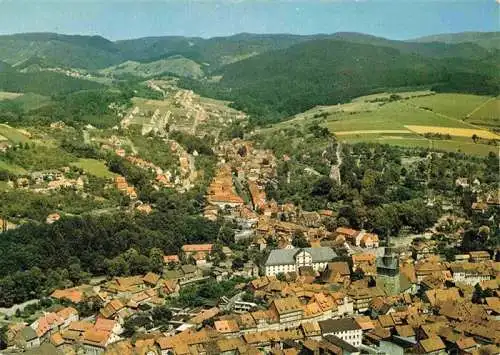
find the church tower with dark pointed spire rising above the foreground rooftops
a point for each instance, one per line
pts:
(388, 271)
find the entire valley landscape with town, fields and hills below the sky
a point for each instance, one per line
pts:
(250, 194)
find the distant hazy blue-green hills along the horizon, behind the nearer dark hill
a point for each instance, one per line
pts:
(95, 52)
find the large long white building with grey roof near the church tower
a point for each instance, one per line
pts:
(290, 260)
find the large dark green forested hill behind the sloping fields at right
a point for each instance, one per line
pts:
(330, 71)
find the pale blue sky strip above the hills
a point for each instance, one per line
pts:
(123, 19)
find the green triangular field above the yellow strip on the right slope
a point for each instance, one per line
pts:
(453, 105)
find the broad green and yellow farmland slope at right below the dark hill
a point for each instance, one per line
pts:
(405, 122)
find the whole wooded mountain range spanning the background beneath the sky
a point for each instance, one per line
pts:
(266, 74)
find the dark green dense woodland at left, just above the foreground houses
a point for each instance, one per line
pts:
(38, 257)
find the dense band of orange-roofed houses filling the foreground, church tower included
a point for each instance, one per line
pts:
(309, 301)
